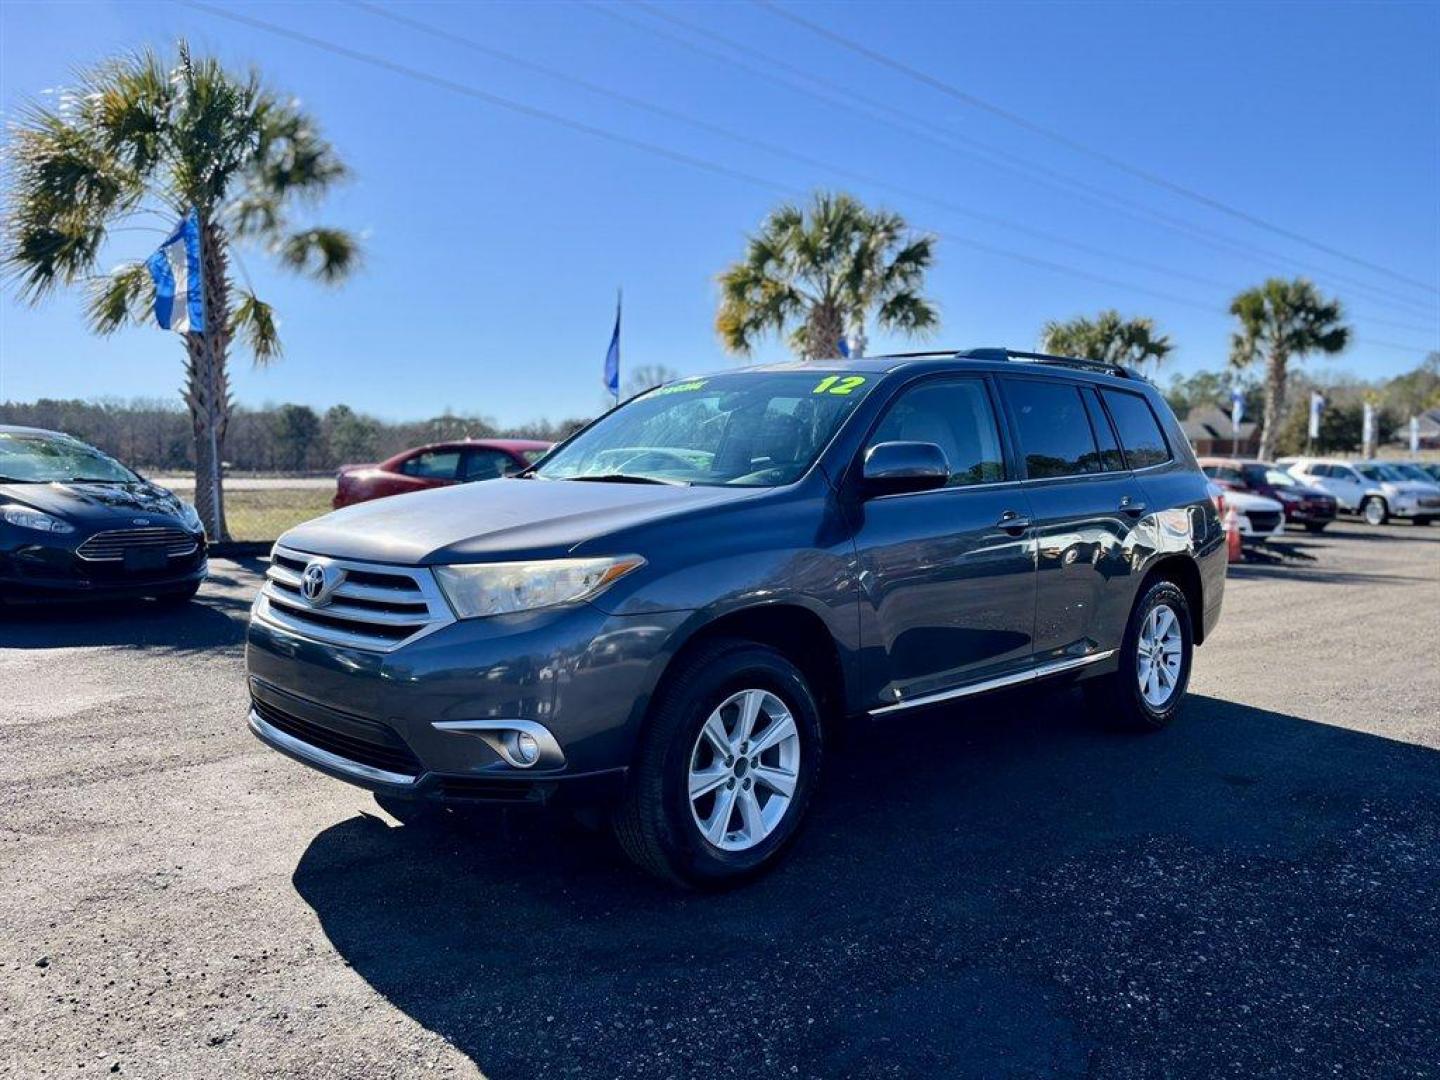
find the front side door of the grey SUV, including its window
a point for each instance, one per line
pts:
(948, 574)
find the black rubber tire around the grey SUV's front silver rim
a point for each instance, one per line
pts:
(654, 823)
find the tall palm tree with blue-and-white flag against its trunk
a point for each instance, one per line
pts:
(142, 139)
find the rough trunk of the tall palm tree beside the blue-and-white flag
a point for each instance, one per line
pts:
(208, 391)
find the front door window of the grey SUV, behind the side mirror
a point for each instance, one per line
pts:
(958, 418)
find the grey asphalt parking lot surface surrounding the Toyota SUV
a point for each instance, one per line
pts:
(1000, 891)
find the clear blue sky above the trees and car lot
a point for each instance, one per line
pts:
(496, 241)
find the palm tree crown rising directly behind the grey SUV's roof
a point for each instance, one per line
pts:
(822, 273)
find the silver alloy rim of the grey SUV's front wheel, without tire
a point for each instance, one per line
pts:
(744, 770)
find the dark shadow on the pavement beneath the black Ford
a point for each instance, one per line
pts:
(215, 620)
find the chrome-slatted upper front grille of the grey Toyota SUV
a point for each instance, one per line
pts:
(369, 606)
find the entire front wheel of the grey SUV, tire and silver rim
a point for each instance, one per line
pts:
(726, 767)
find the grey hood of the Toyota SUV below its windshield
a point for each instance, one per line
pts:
(498, 521)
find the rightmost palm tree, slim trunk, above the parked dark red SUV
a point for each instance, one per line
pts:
(1278, 322)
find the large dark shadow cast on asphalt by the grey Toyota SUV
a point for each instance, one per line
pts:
(986, 892)
